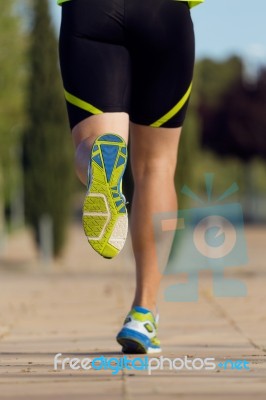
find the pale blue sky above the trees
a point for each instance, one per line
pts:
(224, 28)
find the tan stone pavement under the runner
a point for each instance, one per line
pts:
(76, 307)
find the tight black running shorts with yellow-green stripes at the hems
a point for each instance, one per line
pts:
(133, 56)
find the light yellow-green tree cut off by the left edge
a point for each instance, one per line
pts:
(12, 95)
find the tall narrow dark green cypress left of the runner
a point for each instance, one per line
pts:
(47, 144)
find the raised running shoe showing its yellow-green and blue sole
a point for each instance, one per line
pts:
(105, 220)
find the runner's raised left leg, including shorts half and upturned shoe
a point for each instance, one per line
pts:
(95, 67)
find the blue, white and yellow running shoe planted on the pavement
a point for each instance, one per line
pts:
(139, 332)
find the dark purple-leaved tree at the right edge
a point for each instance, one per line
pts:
(239, 122)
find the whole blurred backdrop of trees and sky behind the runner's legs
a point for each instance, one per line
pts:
(224, 134)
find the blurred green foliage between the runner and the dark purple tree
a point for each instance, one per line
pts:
(211, 81)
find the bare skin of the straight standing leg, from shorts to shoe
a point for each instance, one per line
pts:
(153, 160)
